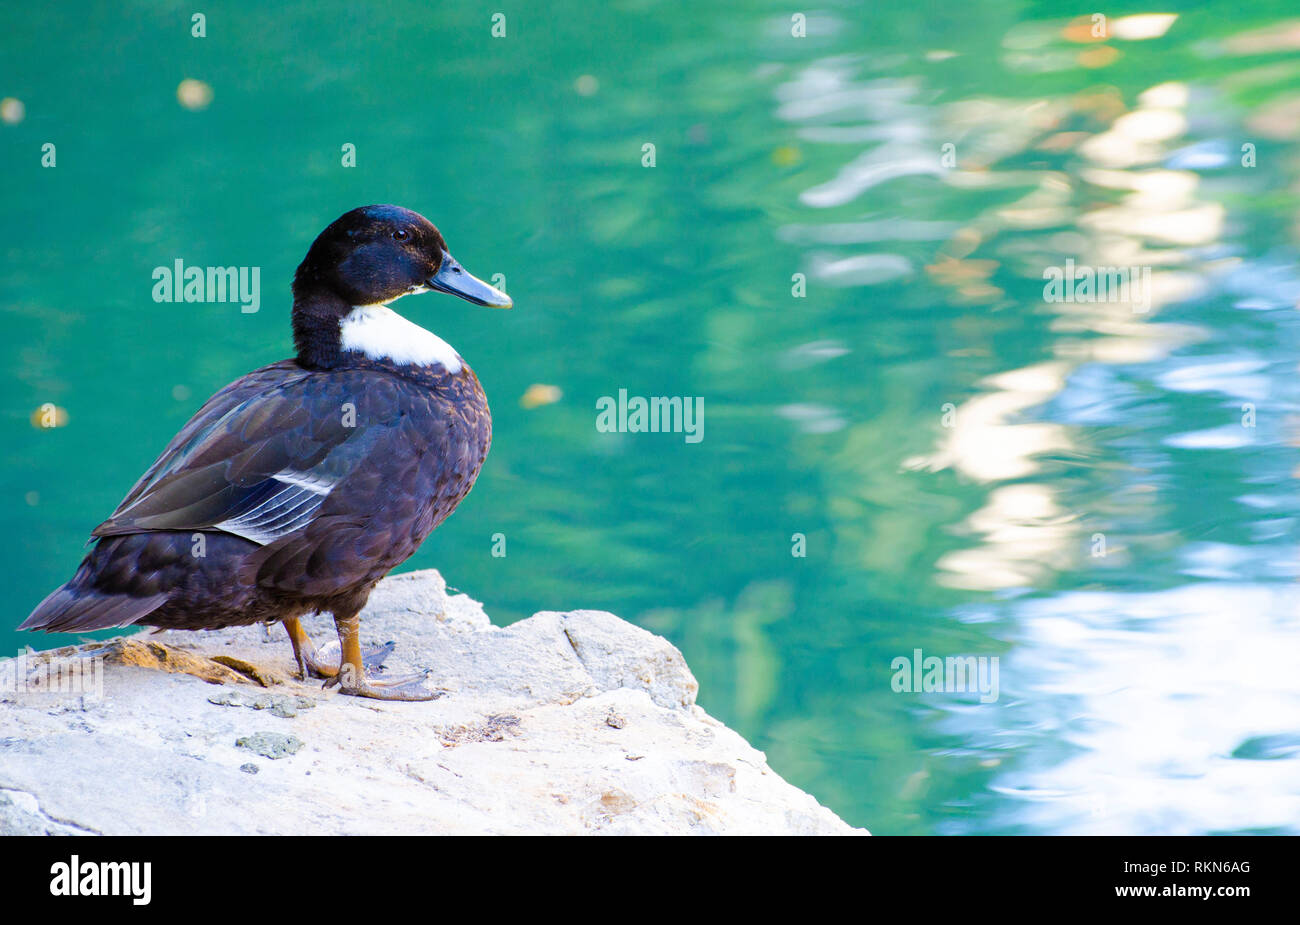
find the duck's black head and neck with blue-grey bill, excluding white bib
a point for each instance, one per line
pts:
(369, 258)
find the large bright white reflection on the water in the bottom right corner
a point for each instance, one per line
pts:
(1176, 710)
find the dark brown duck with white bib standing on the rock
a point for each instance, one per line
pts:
(297, 488)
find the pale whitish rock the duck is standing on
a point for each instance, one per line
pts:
(561, 724)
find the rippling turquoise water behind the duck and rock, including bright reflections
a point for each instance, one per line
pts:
(974, 471)
